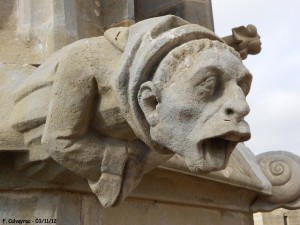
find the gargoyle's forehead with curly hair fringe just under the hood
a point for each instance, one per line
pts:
(199, 58)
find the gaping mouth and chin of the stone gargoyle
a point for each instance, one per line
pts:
(213, 153)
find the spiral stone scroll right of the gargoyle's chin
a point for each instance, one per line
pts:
(282, 169)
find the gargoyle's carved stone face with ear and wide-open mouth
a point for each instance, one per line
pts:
(199, 112)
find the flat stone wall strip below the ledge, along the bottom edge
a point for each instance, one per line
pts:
(81, 209)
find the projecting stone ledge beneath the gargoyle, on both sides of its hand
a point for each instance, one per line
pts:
(168, 183)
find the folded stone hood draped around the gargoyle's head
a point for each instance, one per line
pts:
(148, 42)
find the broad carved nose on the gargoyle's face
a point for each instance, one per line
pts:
(236, 106)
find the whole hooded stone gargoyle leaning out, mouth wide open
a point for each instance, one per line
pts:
(112, 108)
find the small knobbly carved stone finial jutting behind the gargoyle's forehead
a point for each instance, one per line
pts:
(245, 40)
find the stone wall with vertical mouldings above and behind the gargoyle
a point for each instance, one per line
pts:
(31, 30)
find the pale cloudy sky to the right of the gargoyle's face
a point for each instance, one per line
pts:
(274, 98)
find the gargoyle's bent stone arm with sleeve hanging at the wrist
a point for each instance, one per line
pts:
(70, 141)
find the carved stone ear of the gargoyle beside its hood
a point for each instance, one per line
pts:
(148, 100)
